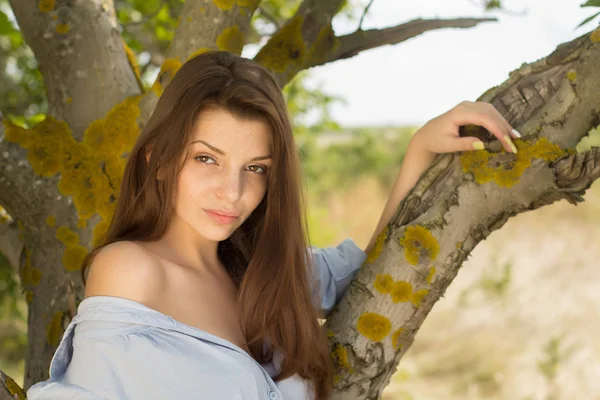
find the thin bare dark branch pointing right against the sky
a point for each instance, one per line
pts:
(354, 43)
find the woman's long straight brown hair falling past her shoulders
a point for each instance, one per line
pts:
(267, 255)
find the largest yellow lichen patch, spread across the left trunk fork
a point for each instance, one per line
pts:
(91, 170)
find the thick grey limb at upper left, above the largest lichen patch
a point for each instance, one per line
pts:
(79, 50)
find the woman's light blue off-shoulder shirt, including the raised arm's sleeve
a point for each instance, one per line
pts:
(116, 348)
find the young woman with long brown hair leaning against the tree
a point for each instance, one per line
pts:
(206, 286)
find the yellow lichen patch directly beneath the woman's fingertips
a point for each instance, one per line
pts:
(484, 168)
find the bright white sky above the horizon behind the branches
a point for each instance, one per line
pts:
(418, 79)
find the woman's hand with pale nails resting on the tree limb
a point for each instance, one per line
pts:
(440, 135)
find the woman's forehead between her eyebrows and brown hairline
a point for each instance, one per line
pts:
(222, 127)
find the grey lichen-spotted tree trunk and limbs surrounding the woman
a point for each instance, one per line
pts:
(61, 178)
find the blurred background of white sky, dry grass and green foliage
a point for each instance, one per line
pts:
(521, 321)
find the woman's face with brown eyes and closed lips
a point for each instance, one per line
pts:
(225, 175)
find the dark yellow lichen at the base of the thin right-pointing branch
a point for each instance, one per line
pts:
(285, 48)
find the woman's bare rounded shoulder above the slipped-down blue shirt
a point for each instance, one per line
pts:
(125, 269)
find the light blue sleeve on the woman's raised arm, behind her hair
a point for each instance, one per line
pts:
(334, 268)
